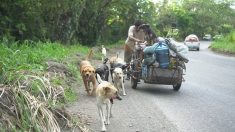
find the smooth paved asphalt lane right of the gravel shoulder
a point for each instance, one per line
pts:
(206, 101)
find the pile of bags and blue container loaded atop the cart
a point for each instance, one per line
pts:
(161, 54)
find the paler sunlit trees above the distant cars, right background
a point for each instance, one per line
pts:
(197, 17)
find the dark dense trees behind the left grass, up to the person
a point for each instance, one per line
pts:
(71, 21)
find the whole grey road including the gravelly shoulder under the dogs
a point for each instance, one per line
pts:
(205, 102)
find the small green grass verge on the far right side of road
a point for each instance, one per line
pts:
(225, 45)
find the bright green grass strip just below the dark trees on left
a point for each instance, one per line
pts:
(33, 57)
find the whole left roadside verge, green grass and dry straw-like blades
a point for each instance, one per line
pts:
(34, 90)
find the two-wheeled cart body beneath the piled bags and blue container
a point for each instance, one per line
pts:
(153, 74)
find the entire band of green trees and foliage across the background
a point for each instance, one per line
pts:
(91, 22)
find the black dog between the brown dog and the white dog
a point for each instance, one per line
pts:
(103, 70)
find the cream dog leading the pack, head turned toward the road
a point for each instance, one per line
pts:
(105, 93)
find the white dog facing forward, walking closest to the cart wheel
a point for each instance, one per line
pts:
(118, 80)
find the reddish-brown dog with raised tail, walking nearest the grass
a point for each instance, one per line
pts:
(87, 72)
